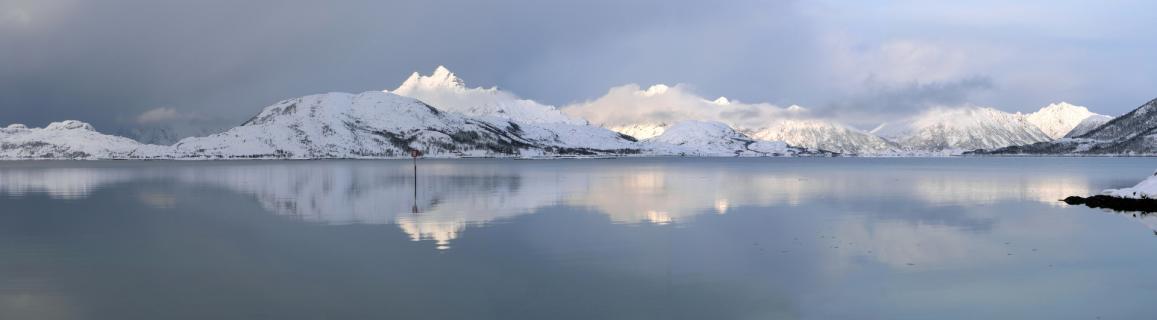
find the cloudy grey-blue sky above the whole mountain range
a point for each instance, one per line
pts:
(127, 64)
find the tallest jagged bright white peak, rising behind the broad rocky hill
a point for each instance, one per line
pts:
(447, 92)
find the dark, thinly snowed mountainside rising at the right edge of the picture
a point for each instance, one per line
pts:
(1136, 133)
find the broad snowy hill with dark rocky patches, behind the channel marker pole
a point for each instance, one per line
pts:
(379, 125)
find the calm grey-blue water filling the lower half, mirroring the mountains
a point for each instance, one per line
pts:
(819, 239)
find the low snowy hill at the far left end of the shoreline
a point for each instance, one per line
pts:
(70, 140)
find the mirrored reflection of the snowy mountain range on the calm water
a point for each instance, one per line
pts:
(453, 196)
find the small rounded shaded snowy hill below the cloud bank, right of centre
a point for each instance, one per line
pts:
(692, 138)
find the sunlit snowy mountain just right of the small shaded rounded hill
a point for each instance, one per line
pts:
(826, 136)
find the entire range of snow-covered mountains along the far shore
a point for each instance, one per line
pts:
(443, 117)
